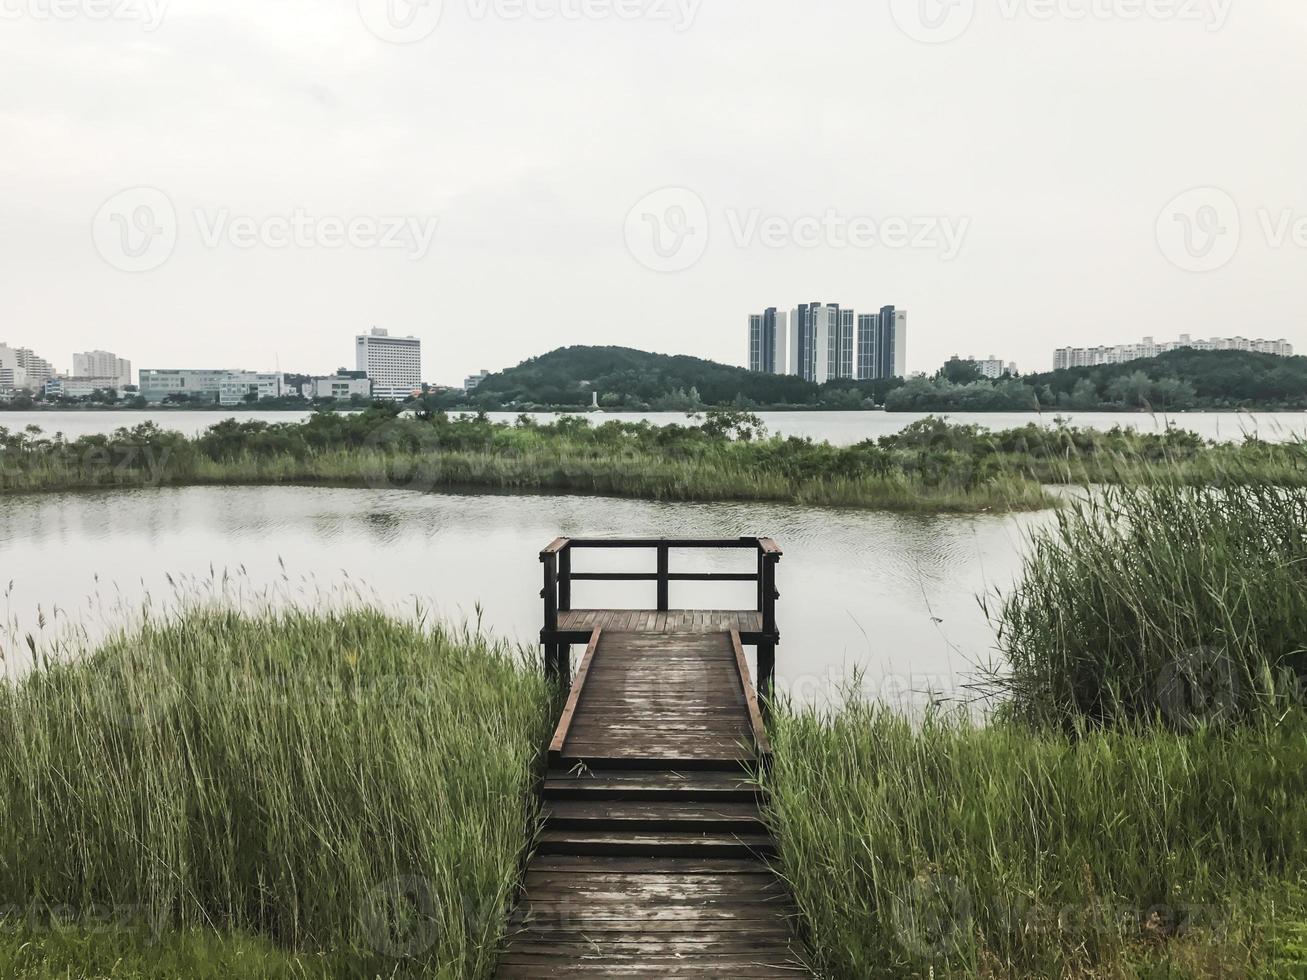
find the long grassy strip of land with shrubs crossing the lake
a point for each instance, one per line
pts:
(930, 467)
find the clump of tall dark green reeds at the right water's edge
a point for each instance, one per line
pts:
(1161, 603)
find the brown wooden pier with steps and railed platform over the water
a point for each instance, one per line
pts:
(654, 859)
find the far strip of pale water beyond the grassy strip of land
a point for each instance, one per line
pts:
(837, 428)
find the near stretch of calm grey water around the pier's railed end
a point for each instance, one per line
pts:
(891, 595)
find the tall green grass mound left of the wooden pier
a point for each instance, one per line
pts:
(350, 792)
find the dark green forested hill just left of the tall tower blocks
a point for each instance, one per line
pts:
(628, 378)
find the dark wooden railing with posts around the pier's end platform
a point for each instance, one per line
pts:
(559, 578)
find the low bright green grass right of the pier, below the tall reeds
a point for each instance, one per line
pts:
(956, 850)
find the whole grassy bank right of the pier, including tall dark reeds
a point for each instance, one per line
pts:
(1138, 808)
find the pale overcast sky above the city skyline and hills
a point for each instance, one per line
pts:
(249, 184)
